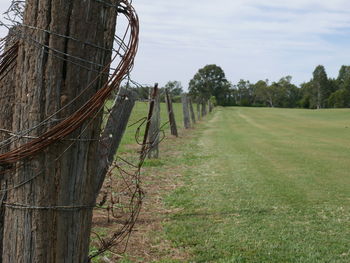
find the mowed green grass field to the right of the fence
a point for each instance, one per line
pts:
(266, 185)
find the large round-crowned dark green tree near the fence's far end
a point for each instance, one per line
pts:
(210, 81)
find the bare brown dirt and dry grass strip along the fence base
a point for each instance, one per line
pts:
(147, 242)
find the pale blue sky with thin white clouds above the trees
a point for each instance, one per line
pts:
(248, 39)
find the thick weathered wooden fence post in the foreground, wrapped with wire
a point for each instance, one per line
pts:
(65, 174)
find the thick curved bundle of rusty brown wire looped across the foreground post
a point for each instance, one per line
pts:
(93, 105)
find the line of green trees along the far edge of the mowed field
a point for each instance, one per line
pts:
(319, 92)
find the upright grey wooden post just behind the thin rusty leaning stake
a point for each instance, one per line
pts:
(153, 137)
